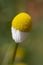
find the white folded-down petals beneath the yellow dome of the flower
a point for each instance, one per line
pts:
(18, 36)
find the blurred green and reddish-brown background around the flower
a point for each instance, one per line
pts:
(34, 45)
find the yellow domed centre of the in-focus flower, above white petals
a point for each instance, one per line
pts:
(22, 22)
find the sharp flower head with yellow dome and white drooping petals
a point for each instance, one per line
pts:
(21, 26)
